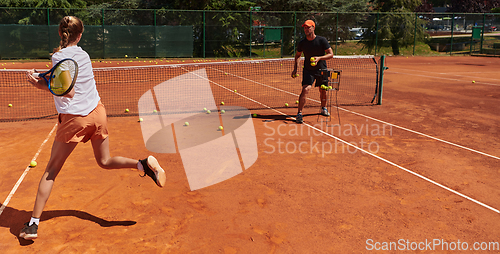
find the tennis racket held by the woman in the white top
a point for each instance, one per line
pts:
(61, 78)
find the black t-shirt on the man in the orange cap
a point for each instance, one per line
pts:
(312, 48)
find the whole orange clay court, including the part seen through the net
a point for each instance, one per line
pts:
(417, 170)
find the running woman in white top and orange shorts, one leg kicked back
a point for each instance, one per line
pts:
(82, 117)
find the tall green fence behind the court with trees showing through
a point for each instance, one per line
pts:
(114, 33)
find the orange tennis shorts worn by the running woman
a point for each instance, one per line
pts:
(74, 128)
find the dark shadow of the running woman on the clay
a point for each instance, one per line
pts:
(14, 220)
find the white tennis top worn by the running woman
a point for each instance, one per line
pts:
(86, 96)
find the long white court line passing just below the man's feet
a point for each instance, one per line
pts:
(371, 154)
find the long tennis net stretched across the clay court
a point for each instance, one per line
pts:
(253, 84)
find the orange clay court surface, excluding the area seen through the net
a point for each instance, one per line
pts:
(307, 192)
